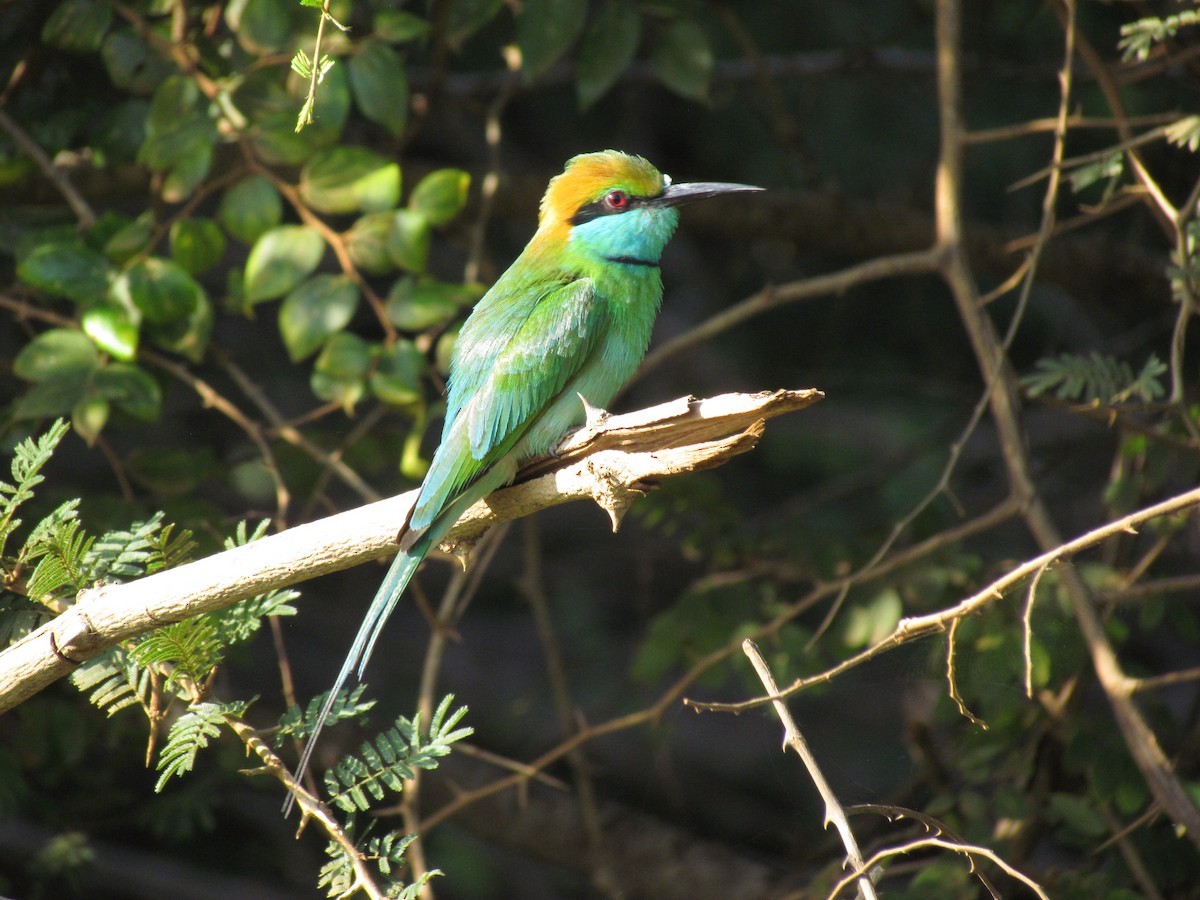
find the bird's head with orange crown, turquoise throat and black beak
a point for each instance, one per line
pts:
(619, 207)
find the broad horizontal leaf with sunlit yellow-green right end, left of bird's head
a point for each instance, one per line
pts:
(344, 179)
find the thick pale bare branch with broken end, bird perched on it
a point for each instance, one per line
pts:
(613, 461)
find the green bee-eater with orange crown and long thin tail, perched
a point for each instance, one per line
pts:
(559, 334)
